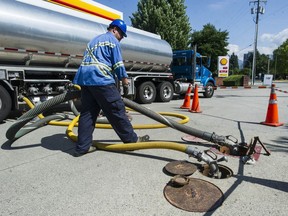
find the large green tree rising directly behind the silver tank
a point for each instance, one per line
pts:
(166, 18)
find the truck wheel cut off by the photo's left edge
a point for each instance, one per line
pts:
(5, 103)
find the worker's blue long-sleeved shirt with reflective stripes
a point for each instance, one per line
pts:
(101, 62)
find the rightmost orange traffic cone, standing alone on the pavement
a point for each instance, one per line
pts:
(272, 111)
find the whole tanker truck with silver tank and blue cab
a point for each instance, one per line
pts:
(42, 45)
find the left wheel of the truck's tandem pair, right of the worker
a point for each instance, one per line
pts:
(146, 93)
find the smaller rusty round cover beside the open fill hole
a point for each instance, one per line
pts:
(181, 168)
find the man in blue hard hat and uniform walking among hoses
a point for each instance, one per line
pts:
(102, 63)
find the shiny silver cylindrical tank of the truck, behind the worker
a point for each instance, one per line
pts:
(34, 34)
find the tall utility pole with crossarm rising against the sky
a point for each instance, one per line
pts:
(256, 9)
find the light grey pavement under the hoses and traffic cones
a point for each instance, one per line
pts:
(39, 175)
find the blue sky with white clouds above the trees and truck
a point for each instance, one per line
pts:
(233, 16)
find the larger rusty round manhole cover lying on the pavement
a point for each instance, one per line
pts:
(196, 196)
